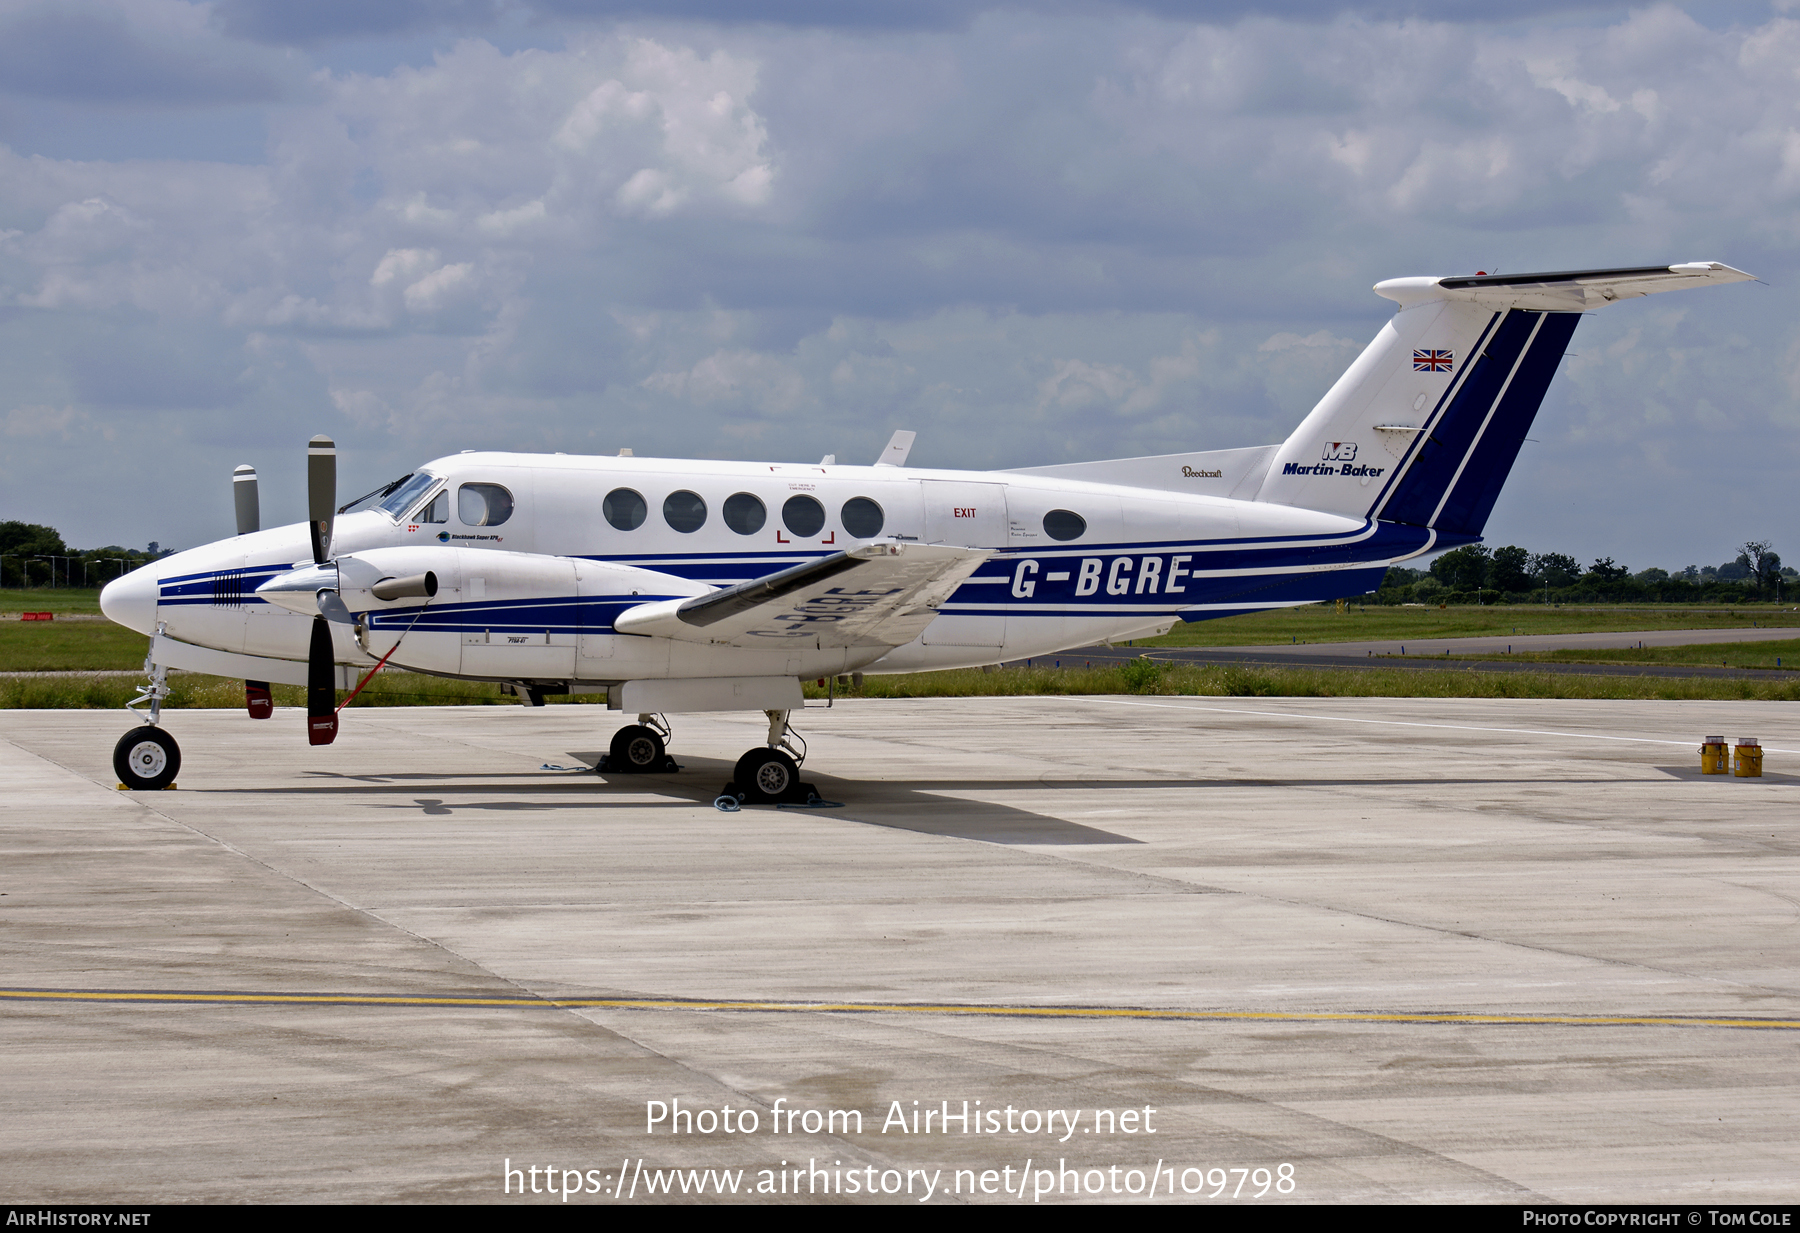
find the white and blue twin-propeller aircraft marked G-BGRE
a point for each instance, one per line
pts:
(696, 586)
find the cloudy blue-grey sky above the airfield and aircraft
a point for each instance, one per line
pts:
(1034, 233)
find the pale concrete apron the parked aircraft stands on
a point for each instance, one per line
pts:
(1412, 949)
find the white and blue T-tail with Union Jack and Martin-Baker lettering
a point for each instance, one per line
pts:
(1426, 424)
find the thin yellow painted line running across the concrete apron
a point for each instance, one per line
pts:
(897, 1009)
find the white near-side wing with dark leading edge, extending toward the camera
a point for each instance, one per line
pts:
(881, 595)
